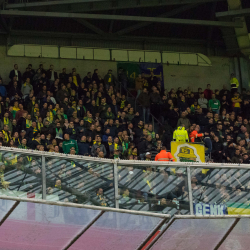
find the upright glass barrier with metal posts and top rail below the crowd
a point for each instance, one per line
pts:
(160, 187)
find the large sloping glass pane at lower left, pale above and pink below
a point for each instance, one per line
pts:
(34, 226)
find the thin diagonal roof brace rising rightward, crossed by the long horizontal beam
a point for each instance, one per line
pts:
(167, 14)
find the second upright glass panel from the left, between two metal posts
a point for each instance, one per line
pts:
(80, 181)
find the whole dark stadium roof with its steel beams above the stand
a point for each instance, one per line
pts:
(149, 21)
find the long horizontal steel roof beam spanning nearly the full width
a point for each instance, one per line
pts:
(120, 17)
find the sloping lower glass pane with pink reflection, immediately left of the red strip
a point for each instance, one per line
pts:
(124, 231)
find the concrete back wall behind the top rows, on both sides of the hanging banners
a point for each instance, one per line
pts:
(174, 75)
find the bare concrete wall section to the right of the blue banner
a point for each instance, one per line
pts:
(197, 76)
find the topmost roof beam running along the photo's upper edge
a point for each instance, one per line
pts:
(98, 5)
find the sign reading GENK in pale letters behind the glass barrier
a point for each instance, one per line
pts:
(207, 209)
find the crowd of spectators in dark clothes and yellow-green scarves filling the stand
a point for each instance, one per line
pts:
(91, 116)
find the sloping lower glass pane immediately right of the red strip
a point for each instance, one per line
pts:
(202, 234)
